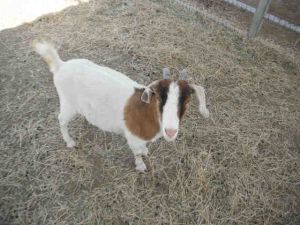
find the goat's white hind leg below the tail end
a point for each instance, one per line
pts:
(65, 116)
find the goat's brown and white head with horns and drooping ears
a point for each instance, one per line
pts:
(173, 98)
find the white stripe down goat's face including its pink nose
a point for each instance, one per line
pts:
(170, 118)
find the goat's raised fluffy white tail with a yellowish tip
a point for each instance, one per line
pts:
(49, 54)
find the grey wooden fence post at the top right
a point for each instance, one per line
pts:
(261, 9)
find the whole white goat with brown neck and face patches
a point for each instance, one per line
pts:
(113, 102)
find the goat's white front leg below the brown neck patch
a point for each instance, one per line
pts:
(138, 148)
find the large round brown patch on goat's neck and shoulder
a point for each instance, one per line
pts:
(142, 119)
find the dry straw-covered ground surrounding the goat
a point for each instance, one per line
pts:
(241, 166)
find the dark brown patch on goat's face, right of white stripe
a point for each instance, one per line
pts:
(184, 97)
